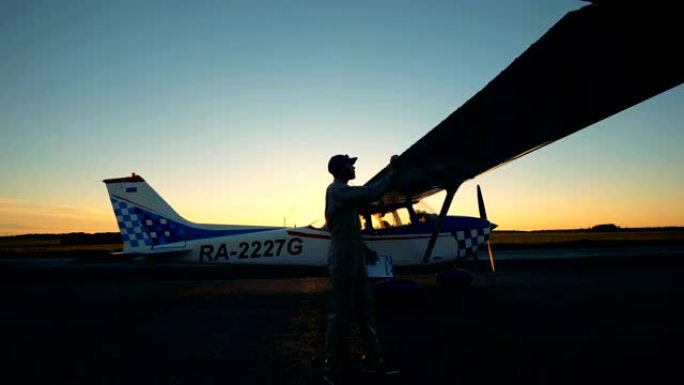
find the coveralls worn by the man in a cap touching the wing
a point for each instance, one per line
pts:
(350, 292)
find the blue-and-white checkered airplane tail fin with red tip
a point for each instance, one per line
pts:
(150, 225)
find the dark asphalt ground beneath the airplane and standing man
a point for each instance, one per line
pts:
(606, 320)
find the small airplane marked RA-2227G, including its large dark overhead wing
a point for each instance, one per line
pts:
(593, 63)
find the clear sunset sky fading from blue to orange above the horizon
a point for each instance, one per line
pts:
(231, 109)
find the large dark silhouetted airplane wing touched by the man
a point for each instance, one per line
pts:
(596, 61)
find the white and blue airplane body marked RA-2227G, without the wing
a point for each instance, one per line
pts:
(150, 226)
